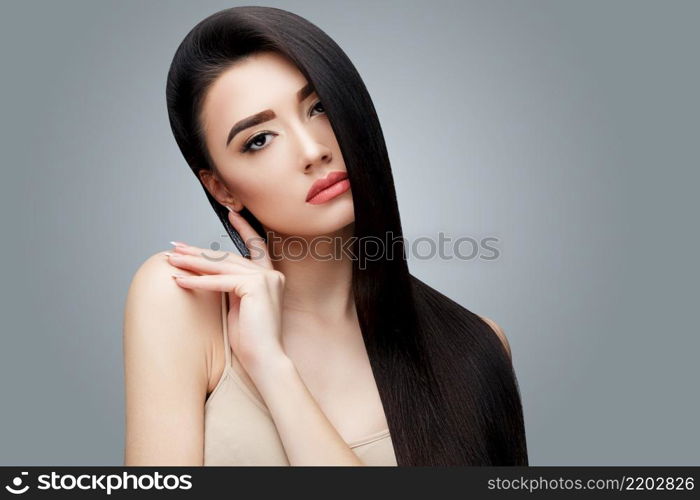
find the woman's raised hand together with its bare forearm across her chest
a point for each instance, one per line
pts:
(255, 292)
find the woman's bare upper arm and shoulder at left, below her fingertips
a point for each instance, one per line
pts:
(164, 369)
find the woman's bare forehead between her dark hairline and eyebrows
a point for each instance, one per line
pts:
(260, 81)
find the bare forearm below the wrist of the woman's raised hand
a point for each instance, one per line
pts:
(306, 433)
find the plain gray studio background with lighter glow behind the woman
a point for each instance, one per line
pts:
(569, 130)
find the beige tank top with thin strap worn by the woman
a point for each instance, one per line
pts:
(239, 429)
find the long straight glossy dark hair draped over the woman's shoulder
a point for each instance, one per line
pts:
(445, 380)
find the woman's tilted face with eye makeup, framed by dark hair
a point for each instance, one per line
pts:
(269, 167)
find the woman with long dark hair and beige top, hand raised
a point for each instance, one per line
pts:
(297, 351)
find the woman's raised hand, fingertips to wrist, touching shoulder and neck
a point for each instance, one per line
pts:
(255, 291)
